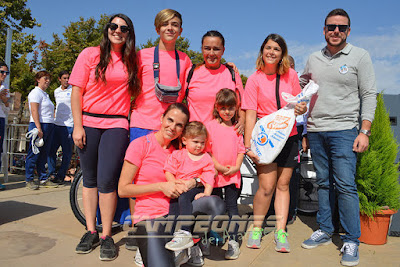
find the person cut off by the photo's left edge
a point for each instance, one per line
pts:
(4, 96)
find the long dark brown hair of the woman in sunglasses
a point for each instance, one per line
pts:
(128, 56)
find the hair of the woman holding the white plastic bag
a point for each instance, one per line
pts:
(284, 64)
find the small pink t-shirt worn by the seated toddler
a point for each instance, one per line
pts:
(183, 167)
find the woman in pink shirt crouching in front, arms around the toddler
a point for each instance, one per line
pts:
(143, 177)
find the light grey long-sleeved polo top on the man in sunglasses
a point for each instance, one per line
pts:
(346, 89)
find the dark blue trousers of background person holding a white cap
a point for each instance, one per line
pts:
(39, 160)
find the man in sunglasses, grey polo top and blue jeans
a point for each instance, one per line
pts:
(347, 91)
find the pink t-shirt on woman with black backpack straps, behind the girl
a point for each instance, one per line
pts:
(204, 86)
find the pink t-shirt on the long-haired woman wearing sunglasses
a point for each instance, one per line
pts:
(112, 98)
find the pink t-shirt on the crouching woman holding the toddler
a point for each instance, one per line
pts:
(147, 154)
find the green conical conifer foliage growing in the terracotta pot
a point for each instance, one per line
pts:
(377, 173)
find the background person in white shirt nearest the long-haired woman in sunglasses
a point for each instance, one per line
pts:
(64, 125)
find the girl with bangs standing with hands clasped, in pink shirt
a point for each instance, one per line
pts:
(227, 150)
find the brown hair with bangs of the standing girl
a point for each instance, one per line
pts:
(226, 98)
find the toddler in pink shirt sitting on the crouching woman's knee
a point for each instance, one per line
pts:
(189, 163)
